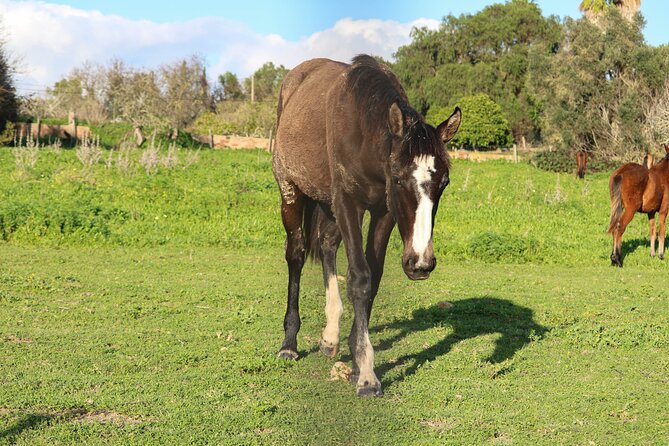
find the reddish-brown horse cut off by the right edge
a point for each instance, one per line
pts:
(635, 188)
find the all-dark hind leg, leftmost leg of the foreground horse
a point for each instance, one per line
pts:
(292, 206)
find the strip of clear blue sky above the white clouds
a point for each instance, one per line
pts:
(294, 19)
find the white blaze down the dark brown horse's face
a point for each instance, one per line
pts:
(422, 227)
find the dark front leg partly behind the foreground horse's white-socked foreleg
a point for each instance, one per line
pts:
(380, 227)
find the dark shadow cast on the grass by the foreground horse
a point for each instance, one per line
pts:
(469, 318)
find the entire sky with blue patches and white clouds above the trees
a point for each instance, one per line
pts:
(54, 36)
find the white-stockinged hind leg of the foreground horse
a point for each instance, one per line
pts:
(329, 243)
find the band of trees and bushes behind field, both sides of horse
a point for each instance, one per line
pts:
(591, 84)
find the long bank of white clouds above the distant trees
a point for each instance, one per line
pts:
(52, 39)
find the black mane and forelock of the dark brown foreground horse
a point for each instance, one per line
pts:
(375, 88)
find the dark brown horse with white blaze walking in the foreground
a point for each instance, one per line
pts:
(348, 142)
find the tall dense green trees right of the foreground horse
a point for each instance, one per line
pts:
(587, 84)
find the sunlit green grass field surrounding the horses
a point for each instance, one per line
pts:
(139, 309)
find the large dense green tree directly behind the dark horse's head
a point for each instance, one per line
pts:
(487, 52)
